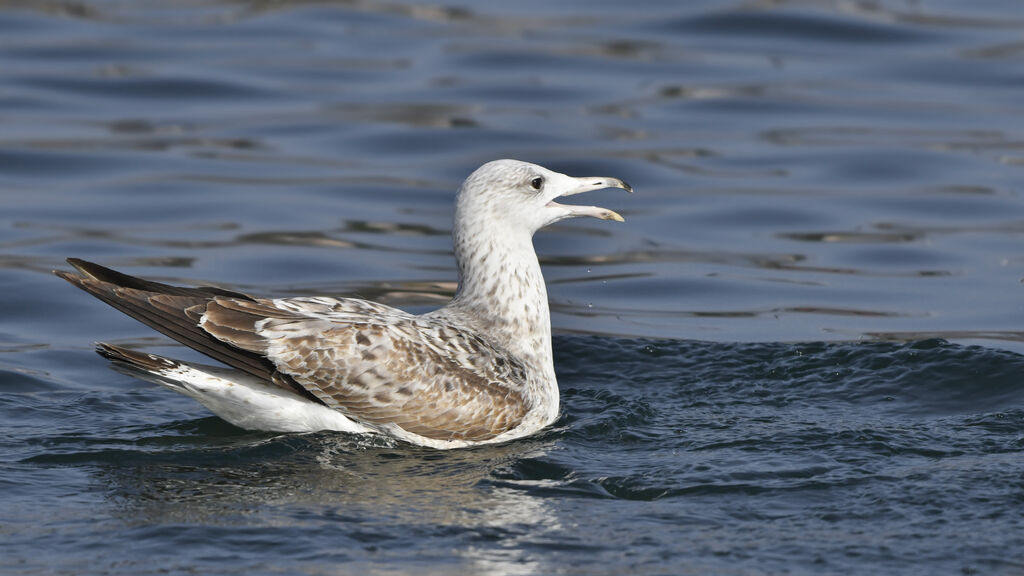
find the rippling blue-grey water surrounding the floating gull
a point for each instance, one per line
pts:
(800, 354)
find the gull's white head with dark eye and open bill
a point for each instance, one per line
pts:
(521, 197)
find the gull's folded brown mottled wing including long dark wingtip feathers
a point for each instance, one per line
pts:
(375, 364)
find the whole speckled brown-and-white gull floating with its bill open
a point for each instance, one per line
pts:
(479, 371)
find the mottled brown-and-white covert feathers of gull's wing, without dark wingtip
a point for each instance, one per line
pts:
(380, 365)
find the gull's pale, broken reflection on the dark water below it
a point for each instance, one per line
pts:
(335, 492)
